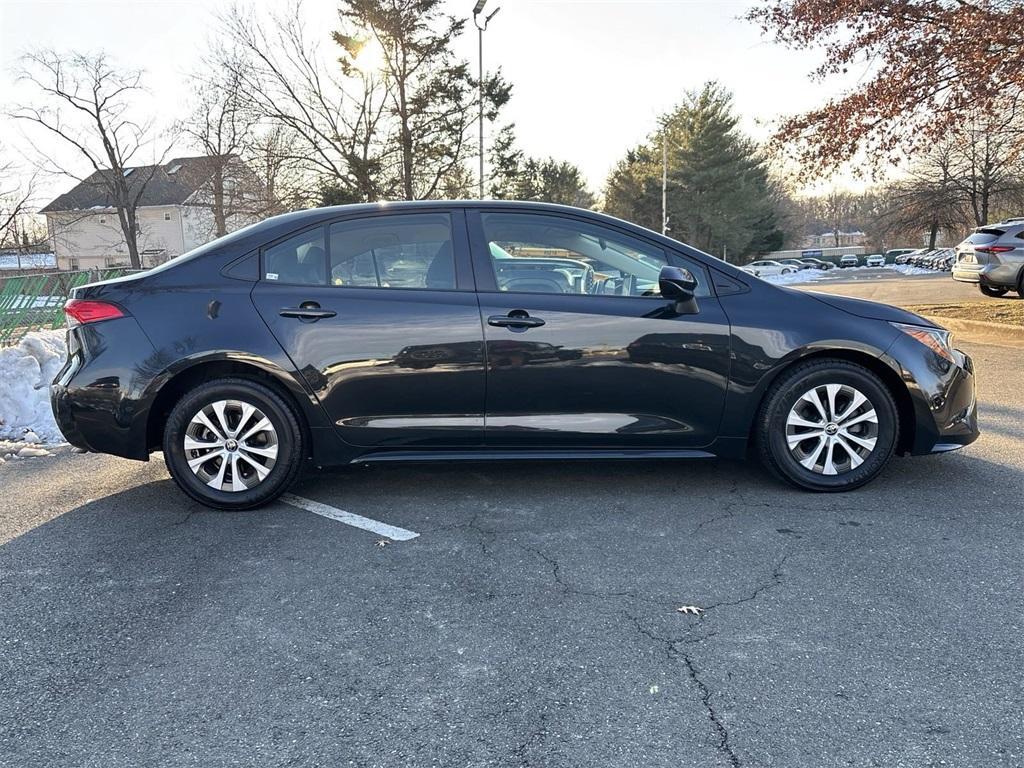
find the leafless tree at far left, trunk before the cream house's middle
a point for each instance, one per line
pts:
(86, 103)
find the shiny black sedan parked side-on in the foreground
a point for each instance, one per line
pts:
(471, 331)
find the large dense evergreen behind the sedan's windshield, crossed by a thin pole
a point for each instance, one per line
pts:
(719, 195)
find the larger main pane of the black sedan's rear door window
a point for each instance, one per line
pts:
(403, 251)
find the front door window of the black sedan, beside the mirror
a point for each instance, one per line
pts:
(536, 253)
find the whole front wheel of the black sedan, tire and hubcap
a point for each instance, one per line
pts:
(828, 425)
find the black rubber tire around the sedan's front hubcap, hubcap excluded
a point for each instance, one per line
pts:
(771, 434)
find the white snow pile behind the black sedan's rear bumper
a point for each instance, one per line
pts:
(26, 373)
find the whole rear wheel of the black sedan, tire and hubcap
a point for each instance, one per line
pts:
(233, 445)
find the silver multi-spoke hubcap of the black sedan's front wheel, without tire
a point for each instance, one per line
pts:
(832, 430)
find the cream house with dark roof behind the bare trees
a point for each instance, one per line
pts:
(176, 212)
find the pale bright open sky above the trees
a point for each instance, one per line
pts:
(590, 76)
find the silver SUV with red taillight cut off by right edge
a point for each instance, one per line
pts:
(993, 258)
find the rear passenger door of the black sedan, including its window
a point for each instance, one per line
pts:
(379, 316)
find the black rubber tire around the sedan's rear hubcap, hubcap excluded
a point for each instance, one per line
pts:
(290, 448)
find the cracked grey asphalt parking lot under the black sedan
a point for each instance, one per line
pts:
(534, 621)
